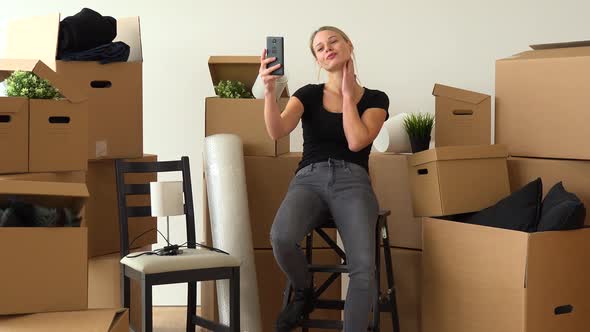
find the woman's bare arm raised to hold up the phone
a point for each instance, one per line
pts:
(277, 124)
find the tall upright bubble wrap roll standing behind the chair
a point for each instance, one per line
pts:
(230, 223)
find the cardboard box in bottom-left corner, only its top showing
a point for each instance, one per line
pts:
(104, 320)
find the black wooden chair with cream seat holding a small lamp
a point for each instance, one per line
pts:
(193, 265)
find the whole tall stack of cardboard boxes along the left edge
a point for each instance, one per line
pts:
(67, 148)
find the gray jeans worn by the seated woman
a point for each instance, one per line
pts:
(343, 190)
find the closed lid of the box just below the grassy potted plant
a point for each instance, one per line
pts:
(458, 153)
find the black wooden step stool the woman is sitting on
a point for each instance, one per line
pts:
(383, 301)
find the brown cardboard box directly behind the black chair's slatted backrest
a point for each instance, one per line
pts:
(102, 214)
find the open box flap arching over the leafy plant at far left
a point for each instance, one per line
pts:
(66, 87)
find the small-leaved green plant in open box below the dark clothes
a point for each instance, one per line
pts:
(29, 85)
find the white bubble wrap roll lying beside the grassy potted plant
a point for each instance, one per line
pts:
(393, 136)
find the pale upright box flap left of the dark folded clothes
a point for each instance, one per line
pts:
(33, 38)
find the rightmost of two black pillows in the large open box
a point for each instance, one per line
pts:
(561, 210)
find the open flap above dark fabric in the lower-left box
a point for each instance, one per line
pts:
(51, 194)
